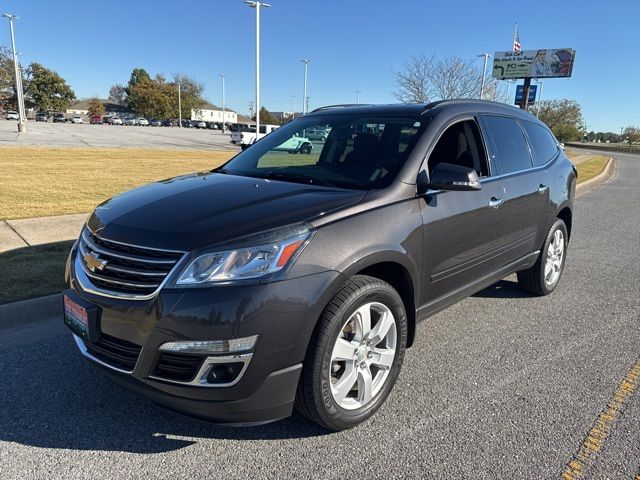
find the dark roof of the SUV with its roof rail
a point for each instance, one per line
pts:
(451, 107)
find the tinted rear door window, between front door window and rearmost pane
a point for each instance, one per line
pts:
(510, 143)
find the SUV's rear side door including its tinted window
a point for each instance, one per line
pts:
(526, 186)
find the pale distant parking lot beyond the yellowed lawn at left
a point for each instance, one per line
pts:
(86, 135)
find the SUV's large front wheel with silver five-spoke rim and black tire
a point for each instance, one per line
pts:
(355, 355)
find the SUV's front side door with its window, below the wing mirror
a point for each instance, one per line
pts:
(463, 230)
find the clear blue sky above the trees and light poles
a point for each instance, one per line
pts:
(352, 44)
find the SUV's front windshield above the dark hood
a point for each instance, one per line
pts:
(354, 151)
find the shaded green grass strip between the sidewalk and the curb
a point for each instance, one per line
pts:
(33, 271)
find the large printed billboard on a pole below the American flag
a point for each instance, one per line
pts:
(544, 63)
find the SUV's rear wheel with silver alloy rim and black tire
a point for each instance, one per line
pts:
(544, 276)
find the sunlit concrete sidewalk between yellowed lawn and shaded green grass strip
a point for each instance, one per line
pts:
(40, 230)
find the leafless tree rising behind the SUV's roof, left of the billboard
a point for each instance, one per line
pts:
(424, 79)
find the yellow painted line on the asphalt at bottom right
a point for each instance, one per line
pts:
(599, 432)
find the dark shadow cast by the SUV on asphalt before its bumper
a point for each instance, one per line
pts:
(50, 398)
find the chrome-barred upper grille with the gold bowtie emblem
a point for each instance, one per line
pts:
(125, 269)
